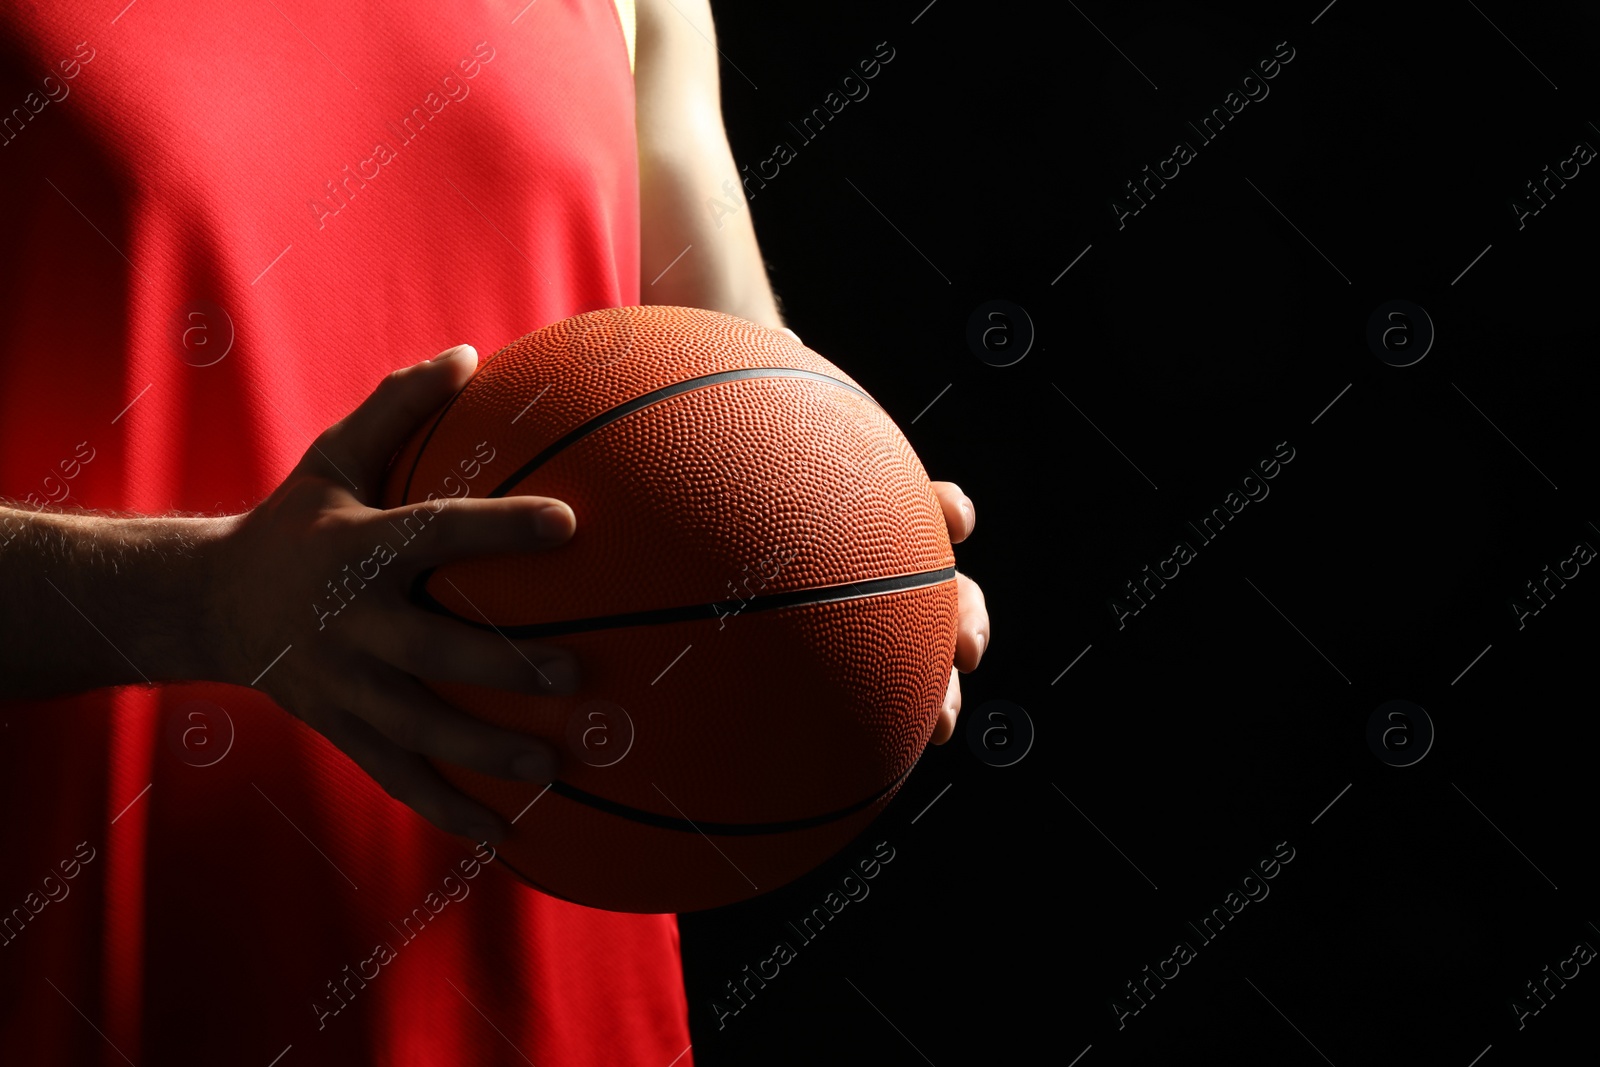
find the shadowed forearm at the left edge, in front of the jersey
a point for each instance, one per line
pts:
(92, 601)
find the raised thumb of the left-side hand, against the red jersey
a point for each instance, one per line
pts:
(362, 444)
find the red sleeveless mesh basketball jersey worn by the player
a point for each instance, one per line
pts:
(225, 223)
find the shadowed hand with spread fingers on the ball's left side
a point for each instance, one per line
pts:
(358, 649)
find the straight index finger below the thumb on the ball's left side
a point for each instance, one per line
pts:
(468, 527)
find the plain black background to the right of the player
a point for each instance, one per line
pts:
(1172, 358)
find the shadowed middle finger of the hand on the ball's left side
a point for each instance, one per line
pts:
(433, 647)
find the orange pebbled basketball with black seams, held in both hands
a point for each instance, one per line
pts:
(761, 597)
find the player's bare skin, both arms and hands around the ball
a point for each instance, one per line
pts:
(220, 597)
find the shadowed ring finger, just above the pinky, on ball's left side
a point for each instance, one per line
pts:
(417, 721)
